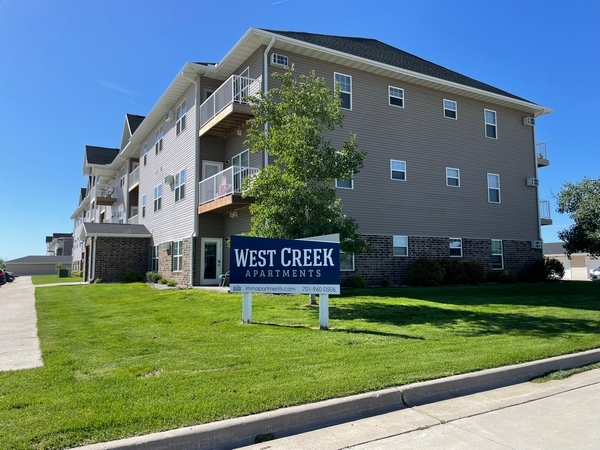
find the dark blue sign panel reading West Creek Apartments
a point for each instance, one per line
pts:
(282, 266)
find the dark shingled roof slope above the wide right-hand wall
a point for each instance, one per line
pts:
(378, 51)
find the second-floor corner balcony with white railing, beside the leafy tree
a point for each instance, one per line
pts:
(223, 192)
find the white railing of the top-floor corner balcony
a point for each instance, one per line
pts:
(233, 90)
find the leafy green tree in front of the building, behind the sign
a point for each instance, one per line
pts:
(295, 196)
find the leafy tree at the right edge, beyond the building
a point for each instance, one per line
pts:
(582, 202)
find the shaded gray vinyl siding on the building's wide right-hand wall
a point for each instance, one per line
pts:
(420, 135)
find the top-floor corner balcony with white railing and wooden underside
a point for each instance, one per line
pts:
(225, 111)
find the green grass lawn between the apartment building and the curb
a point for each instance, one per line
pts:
(124, 360)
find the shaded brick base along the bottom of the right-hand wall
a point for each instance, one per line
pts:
(379, 263)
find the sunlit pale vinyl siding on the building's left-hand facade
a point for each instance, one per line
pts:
(175, 221)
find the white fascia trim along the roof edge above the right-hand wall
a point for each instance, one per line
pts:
(540, 110)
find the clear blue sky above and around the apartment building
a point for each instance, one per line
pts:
(71, 70)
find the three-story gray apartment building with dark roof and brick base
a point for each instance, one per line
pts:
(450, 171)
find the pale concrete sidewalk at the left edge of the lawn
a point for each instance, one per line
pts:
(19, 343)
